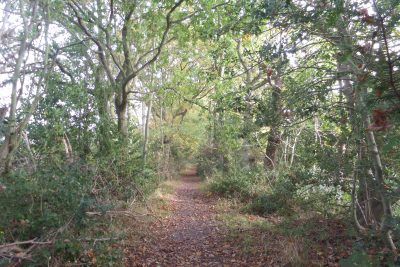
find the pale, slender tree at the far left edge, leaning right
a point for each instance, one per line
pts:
(17, 121)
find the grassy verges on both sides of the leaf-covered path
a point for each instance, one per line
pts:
(298, 239)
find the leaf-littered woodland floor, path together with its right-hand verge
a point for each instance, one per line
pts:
(195, 229)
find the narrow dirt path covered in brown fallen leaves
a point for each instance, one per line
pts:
(191, 236)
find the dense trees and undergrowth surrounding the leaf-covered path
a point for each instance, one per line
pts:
(292, 107)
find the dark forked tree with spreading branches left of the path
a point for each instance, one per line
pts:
(123, 52)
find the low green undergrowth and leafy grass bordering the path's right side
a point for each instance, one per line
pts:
(302, 215)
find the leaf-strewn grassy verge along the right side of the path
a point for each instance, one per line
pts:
(306, 240)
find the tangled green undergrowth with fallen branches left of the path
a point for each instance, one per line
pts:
(68, 207)
